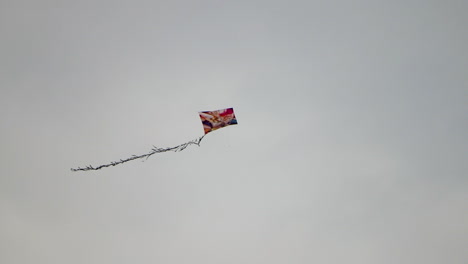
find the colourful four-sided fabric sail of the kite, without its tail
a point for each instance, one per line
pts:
(217, 119)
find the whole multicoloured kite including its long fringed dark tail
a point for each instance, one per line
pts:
(211, 120)
